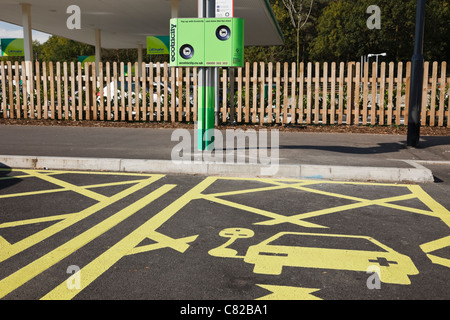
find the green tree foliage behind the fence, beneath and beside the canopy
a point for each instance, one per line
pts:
(335, 31)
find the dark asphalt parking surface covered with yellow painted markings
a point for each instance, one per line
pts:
(105, 235)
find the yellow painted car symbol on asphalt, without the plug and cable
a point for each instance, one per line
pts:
(270, 258)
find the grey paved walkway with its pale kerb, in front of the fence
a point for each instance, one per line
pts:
(319, 155)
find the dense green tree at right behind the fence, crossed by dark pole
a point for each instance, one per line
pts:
(342, 33)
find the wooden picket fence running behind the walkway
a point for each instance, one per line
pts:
(260, 93)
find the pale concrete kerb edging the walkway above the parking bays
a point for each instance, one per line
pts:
(349, 173)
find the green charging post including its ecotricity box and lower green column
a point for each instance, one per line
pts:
(209, 43)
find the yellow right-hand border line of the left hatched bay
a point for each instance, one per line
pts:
(72, 219)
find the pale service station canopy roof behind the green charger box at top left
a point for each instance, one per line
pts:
(126, 24)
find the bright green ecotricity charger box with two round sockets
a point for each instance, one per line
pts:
(207, 42)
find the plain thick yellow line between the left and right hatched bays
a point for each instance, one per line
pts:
(41, 264)
